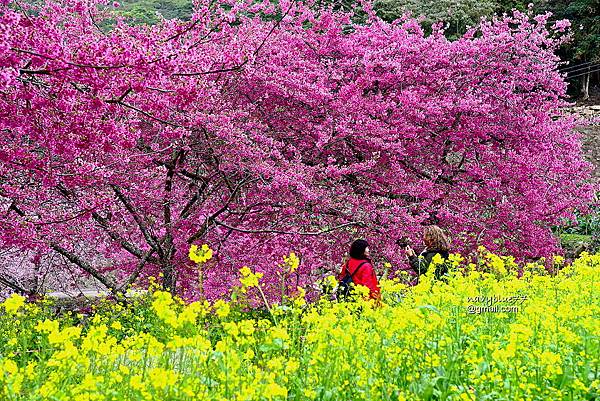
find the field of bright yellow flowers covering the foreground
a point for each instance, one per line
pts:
(483, 335)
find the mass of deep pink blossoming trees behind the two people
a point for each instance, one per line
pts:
(262, 129)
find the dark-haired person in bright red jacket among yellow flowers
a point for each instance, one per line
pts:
(359, 266)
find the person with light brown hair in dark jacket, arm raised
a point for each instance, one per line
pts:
(436, 242)
